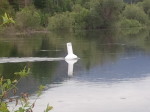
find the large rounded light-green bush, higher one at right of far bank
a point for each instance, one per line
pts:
(136, 13)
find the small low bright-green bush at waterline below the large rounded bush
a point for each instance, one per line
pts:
(129, 23)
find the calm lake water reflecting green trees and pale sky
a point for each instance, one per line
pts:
(112, 74)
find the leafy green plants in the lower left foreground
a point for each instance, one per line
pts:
(22, 104)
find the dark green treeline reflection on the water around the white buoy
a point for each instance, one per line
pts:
(93, 47)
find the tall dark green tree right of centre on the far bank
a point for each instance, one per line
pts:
(104, 13)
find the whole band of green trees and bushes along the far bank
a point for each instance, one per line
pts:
(76, 14)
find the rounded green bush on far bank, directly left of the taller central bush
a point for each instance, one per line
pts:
(61, 21)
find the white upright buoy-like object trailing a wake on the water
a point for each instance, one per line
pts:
(70, 55)
